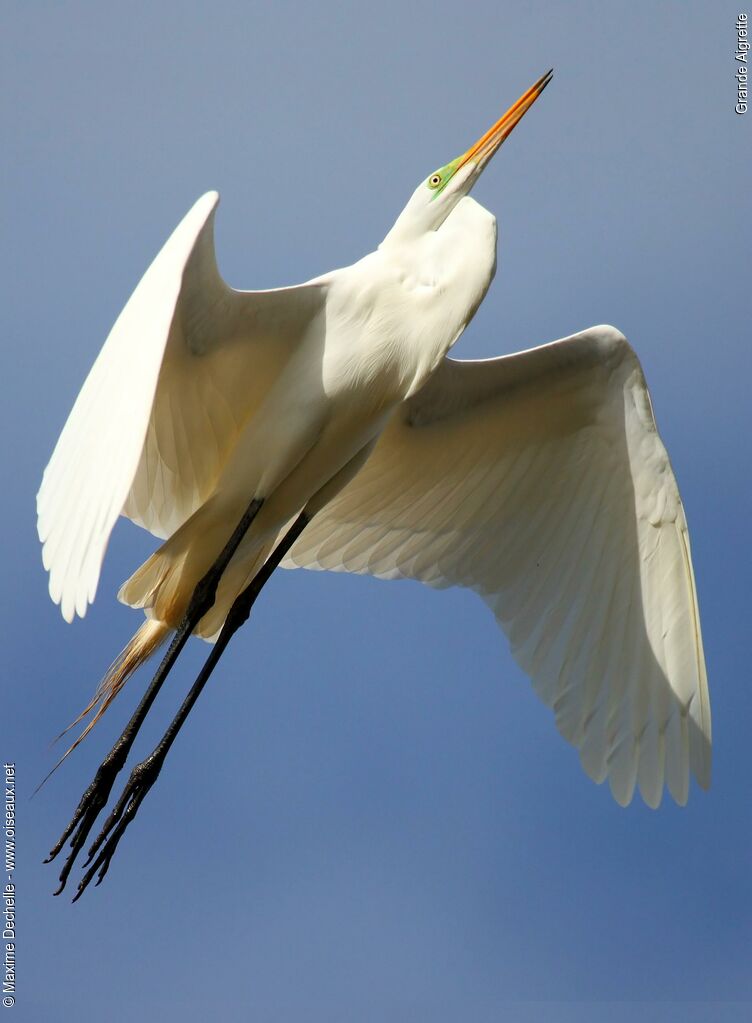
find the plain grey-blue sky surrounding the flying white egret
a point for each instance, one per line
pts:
(370, 816)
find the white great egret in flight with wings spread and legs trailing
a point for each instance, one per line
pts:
(326, 424)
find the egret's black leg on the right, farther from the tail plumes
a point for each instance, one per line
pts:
(146, 774)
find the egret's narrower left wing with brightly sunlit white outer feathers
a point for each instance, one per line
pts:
(185, 367)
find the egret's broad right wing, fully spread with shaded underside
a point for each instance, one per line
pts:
(540, 481)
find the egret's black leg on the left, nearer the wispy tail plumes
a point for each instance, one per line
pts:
(96, 797)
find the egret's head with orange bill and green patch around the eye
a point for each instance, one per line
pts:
(437, 196)
